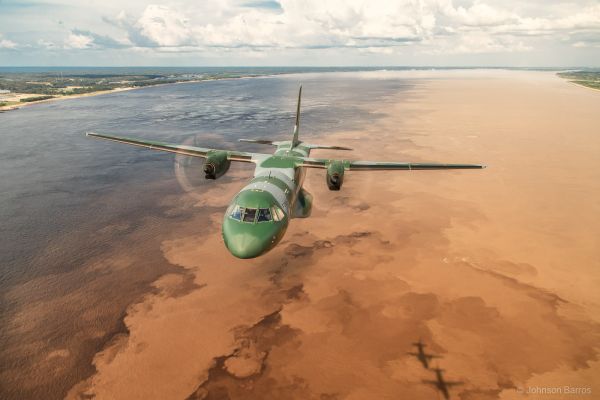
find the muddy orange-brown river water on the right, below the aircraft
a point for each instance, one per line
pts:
(496, 270)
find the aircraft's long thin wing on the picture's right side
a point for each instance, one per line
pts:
(383, 166)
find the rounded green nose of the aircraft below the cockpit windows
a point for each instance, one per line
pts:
(247, 241)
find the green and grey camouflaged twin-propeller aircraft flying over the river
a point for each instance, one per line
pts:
(259, 214)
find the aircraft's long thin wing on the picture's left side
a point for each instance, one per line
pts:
(174, 148)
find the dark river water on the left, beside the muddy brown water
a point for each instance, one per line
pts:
(59, 191)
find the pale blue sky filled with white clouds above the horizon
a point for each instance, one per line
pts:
(532, 33)
